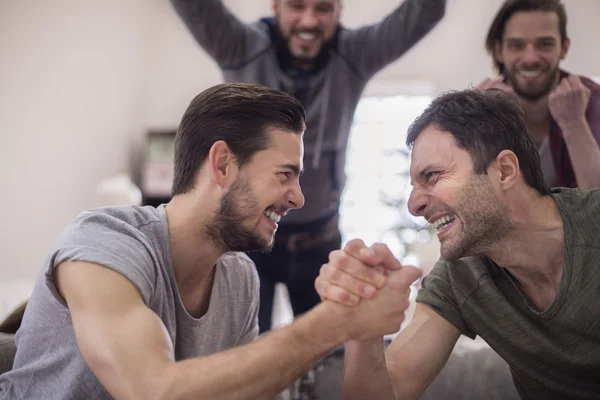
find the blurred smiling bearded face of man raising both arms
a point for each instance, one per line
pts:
(307, 25)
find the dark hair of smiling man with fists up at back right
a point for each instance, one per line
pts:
(509, 8)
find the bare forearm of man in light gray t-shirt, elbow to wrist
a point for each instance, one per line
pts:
(262, 369)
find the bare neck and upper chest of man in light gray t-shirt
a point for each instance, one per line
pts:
(193, 252)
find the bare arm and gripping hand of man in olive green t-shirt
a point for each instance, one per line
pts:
(419, 351)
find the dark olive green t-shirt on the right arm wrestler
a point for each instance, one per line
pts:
(554, 354)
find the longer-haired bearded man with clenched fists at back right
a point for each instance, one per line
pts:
(527, 40)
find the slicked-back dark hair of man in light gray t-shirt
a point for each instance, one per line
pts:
(240, 114)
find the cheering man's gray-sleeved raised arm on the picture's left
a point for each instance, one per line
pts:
(229, 41)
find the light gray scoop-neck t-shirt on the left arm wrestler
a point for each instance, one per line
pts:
(133, 241)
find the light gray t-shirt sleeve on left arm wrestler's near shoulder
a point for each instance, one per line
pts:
(108, 241)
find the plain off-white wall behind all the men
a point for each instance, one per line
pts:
(81, 81)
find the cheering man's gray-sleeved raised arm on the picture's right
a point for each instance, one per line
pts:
(371, 48)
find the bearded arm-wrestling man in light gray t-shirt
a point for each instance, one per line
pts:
(149, 303)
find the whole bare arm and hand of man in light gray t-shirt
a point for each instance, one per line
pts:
(127, 347)
